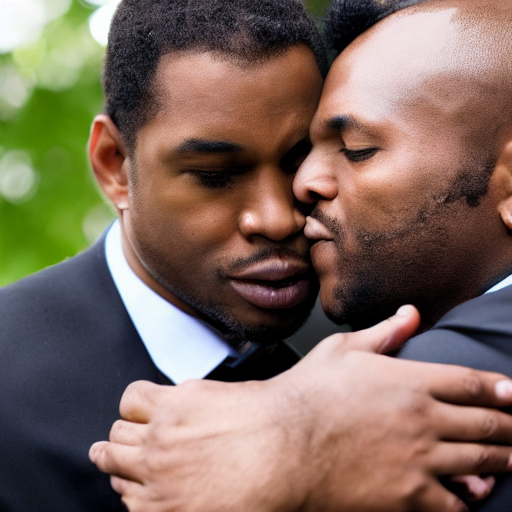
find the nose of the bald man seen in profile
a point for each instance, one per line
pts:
(313, 181)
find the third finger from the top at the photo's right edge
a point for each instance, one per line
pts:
(470, 459)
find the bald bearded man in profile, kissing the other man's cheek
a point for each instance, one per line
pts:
(411, 177)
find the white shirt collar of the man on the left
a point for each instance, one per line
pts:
(182, 347)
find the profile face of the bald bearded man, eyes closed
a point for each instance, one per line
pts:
(399, 175)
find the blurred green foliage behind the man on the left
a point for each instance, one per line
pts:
(50, 207)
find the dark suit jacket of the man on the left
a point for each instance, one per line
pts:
(68, 349)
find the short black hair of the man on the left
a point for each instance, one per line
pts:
(144, 30)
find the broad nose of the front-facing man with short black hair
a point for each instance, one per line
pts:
(271, 211)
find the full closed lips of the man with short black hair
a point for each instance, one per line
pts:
(275, 284)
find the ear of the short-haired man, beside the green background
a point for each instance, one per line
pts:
(109, 160)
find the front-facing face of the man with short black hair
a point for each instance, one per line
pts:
(212, 219)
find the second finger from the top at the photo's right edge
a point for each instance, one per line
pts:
(457, 423)
